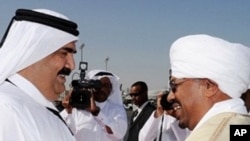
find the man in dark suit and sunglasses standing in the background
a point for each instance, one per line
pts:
(139, 95)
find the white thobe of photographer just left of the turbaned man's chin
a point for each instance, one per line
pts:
(170, 129)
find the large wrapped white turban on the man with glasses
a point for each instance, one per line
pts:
(204, 56)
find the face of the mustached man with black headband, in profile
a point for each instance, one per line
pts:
(44, 74)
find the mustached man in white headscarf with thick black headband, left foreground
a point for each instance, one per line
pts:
(36, 54)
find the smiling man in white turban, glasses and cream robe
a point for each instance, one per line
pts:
(207, 77)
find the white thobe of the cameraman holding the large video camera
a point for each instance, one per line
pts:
(90, 128)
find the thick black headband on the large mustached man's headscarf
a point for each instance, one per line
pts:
(33, 16)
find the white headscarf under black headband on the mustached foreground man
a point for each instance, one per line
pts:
(28, 42)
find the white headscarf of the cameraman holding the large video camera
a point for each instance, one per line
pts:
(116, 95)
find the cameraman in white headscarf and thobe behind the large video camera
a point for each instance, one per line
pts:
(105, 118)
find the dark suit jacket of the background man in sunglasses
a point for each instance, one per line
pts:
(136, 125)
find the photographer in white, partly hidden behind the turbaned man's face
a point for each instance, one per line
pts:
(162, 124)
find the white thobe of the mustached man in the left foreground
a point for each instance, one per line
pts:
(24, 116)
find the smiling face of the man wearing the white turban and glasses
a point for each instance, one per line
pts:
(188, 95)
